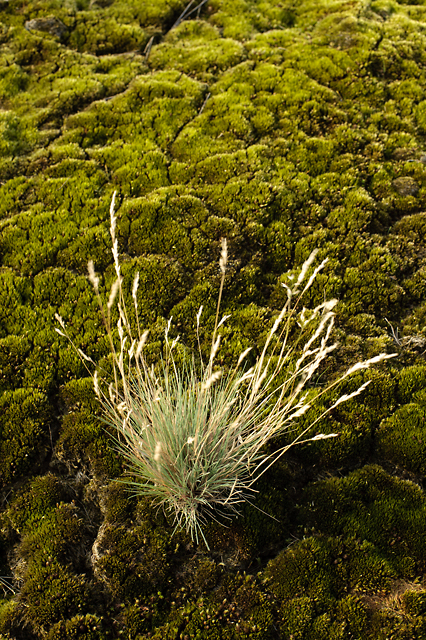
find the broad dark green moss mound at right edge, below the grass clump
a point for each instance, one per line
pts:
(372, 506)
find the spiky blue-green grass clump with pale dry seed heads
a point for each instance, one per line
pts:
(193, 435)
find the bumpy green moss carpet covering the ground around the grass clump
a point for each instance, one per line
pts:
(283, 125)
